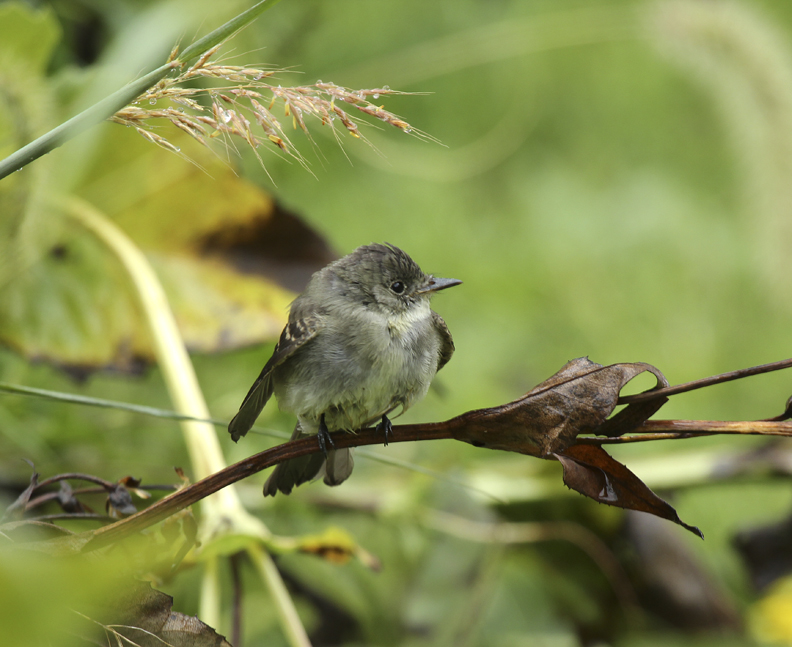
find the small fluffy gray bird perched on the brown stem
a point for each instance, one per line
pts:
(360, 342)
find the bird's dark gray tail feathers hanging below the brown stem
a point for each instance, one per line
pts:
(296, 471)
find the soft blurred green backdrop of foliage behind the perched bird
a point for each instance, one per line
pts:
(613, 181)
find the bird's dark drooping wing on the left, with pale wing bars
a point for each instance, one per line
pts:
(294, 336)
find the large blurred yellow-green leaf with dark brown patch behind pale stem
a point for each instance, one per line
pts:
(216, 241)
